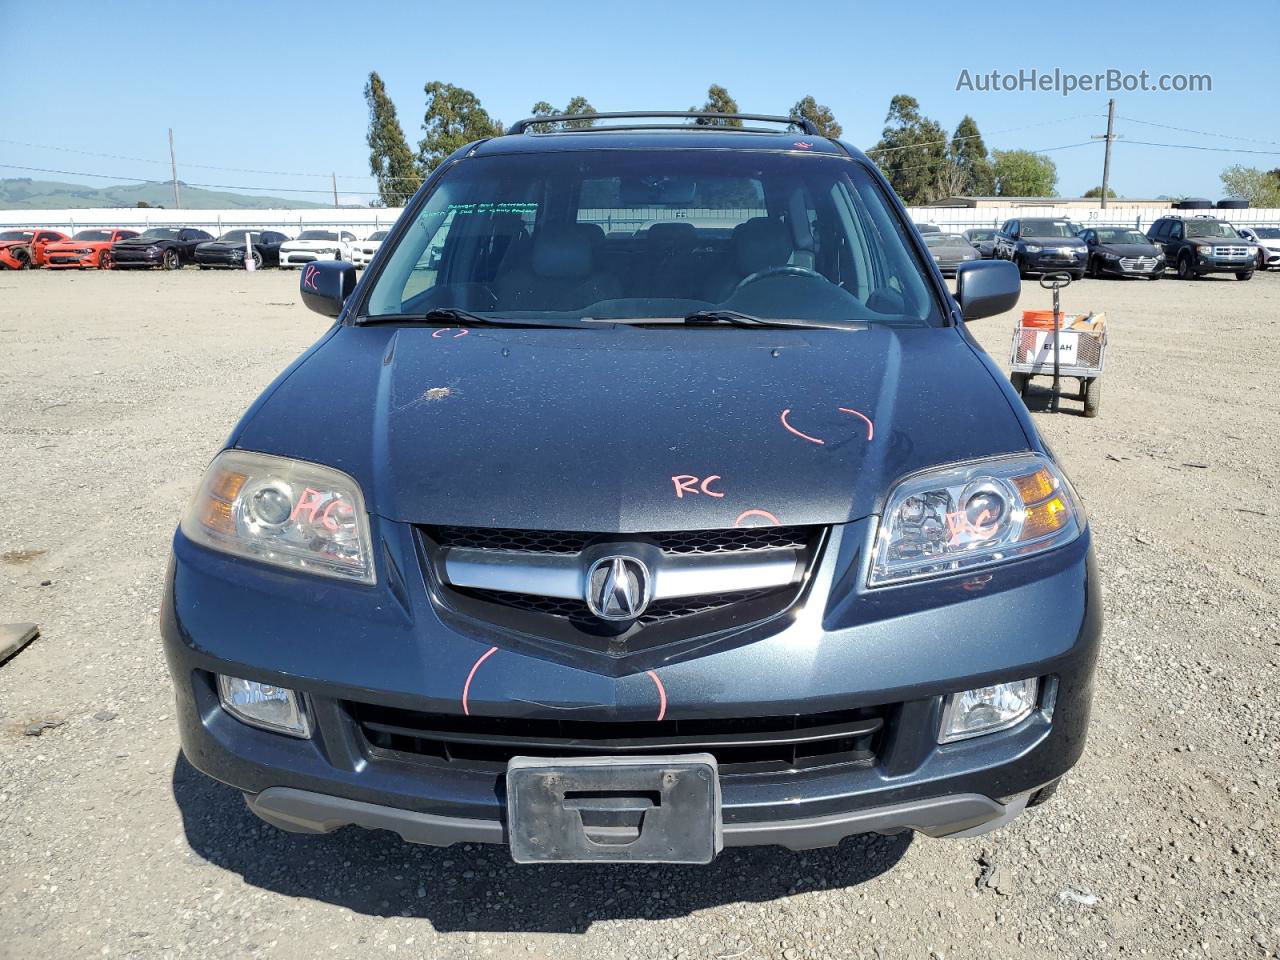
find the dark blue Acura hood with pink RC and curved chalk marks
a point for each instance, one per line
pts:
(625, 431)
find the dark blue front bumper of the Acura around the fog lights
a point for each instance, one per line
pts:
(902, 650)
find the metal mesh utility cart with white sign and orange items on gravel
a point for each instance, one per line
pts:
(1049, 345)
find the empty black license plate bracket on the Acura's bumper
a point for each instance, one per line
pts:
(614, 810)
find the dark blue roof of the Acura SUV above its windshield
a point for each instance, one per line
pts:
(660, 139)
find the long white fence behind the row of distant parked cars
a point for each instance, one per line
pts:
(363, 222)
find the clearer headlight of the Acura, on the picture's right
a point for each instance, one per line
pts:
(953, 519)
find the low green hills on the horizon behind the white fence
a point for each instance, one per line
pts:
(22, 194)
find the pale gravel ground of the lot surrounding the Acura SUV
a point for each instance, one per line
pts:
(115, 392)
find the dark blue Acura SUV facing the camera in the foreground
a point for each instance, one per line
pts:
(729, 536)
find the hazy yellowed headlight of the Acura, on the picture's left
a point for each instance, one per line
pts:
(287, 513)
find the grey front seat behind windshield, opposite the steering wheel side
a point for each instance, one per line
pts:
(560, 275)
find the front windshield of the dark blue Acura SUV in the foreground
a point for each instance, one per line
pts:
(657, 235)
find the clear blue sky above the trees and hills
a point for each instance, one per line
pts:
(278, 86)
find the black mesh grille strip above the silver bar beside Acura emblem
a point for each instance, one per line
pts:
(683, 542)
